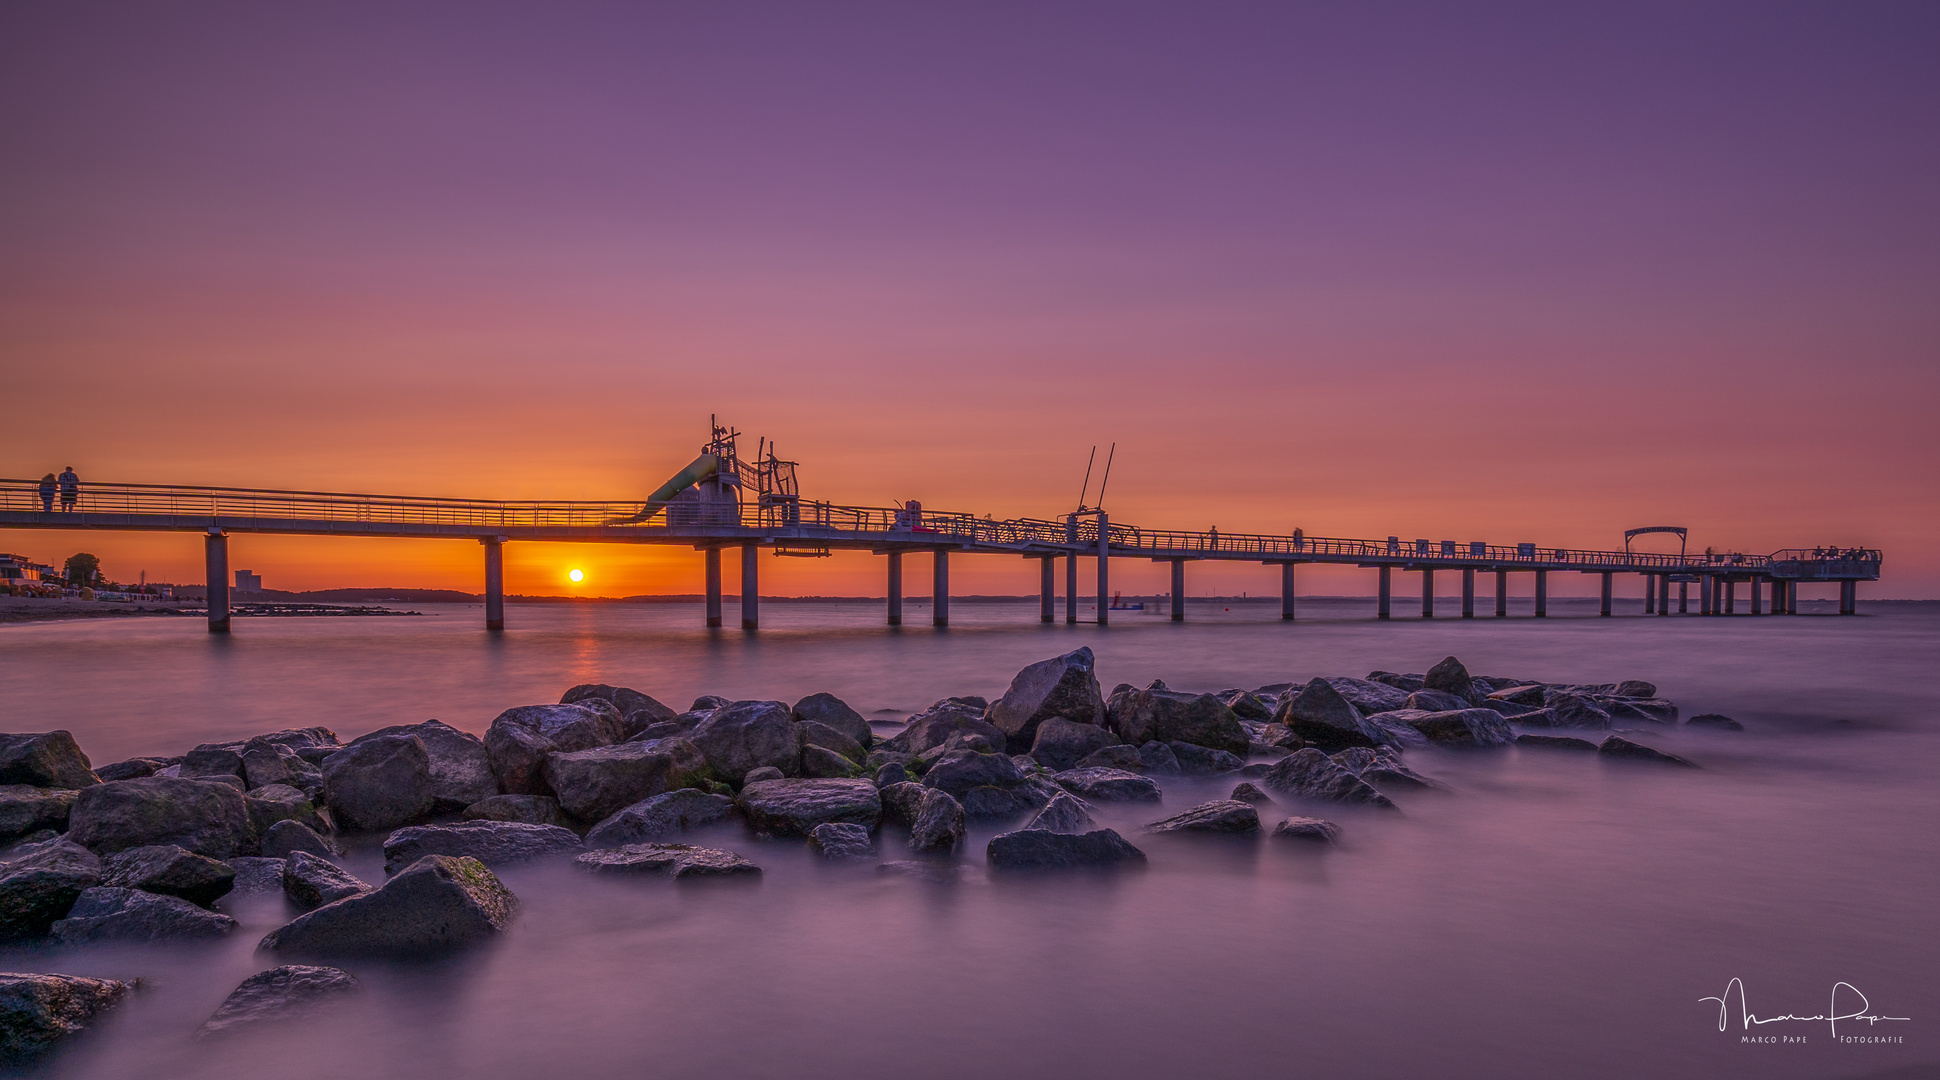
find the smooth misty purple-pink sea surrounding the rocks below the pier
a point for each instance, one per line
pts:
(1547, 916)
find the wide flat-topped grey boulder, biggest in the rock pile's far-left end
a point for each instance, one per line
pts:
(205, 817)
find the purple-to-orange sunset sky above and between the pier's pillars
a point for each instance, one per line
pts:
(1456, 272)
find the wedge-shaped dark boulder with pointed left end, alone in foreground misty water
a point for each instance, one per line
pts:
(436, 905)
